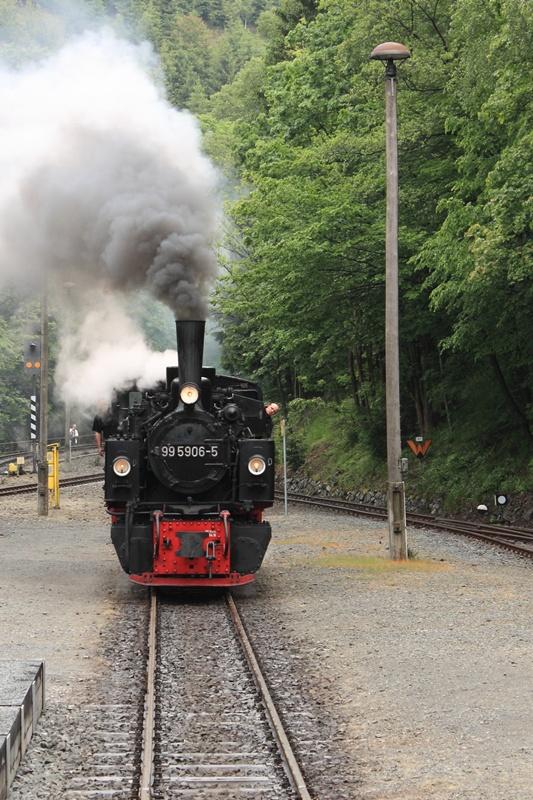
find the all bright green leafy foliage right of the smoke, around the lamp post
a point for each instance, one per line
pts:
(303, 289)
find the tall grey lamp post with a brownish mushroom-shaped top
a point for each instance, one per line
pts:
(389, 53)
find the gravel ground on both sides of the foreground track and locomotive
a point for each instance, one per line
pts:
(396, 681)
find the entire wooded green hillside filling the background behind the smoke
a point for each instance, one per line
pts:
(293, 114)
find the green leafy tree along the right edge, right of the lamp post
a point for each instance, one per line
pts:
(479, 259)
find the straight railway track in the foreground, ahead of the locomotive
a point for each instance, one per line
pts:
(217, 732)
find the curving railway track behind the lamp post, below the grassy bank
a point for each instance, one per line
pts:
(516, 539)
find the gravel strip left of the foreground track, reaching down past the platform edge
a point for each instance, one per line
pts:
(63, 599)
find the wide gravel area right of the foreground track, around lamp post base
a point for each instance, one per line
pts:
(423, 671)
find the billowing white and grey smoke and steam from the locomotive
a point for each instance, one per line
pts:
(104, 186)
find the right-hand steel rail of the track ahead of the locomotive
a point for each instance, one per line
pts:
(289, 759)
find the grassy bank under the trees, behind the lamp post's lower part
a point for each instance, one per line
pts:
(463, 467)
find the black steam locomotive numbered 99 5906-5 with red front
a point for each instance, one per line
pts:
(189, 471)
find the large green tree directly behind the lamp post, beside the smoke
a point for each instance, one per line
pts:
(312, 226)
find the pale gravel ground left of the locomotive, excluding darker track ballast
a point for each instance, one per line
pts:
(59, 585)
